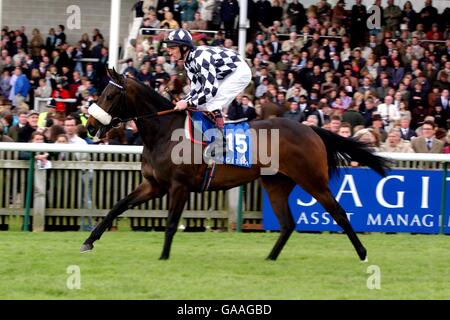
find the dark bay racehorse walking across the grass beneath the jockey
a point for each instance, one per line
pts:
(307, 157)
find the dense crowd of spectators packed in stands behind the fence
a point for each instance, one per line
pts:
(319, 65)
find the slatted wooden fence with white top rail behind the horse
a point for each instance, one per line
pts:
(73, 193)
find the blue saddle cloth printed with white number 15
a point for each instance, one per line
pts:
(237, 137)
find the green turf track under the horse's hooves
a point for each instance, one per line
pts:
(214, 265)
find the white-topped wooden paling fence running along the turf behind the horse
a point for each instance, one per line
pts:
(107, 173)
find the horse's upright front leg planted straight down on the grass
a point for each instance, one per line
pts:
(178, 195)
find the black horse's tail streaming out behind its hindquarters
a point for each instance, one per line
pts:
(340, 151)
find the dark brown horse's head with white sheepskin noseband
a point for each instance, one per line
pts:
(111, 107)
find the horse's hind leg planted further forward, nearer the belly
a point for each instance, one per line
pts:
(278, 188)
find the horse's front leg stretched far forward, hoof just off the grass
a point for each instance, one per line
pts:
(147, 190)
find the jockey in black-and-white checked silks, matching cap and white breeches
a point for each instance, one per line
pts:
(217, 74)
